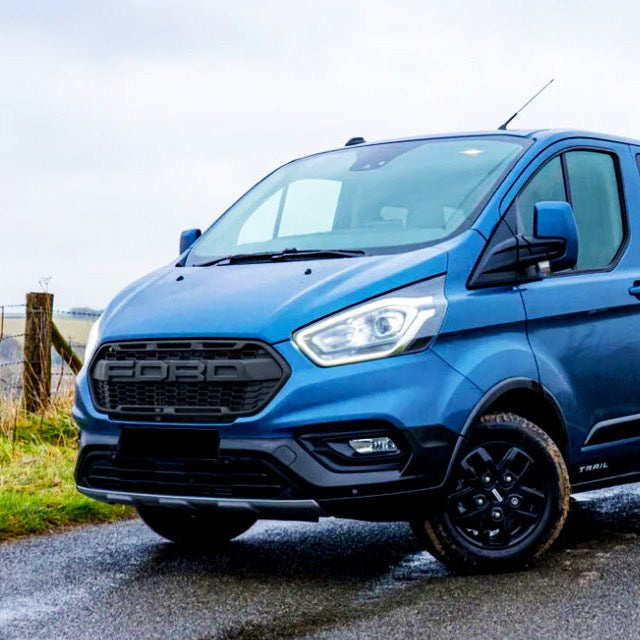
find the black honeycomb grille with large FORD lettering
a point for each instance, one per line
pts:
(186, 380)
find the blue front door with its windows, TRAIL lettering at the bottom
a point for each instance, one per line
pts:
(584, 324)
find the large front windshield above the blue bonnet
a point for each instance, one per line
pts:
(377, 198)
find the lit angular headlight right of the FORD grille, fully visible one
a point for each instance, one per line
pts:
(382, 327)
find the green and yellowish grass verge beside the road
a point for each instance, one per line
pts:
(37, 458)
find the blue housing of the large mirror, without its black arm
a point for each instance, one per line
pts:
(555, 221)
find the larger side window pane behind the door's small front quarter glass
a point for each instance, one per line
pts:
(595, 197)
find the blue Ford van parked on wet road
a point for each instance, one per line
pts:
(438, 330)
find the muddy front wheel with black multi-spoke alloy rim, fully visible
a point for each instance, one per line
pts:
(507, 501)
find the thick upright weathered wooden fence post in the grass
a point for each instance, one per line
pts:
(37, 351)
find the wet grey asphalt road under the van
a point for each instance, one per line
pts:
(336, 579)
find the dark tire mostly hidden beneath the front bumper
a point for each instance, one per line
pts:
(195, 528)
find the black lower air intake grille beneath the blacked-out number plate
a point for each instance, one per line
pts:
(227, 477)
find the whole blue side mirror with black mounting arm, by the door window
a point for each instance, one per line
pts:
(517, 258)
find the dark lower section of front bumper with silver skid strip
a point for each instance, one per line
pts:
(273, 478)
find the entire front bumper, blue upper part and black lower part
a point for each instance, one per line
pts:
(418, 397)
